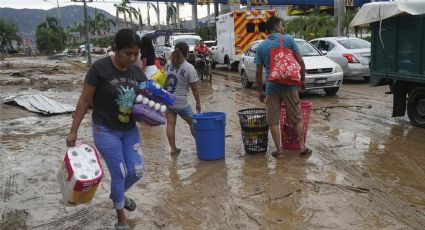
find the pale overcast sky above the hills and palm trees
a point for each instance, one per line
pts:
(108, 5)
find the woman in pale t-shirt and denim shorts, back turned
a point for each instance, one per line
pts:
(181, 75)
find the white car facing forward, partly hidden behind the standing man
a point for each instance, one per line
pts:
(321, 72)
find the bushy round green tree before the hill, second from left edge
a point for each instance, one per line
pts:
(49, 36)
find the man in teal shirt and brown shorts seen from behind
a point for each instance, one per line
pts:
(275, 93)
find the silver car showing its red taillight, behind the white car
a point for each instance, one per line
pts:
(352, 54)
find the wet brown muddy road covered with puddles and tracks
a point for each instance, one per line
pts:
(367, 170)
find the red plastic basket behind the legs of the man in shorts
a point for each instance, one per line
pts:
(289, 136)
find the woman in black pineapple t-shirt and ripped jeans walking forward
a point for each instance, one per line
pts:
(112, 84)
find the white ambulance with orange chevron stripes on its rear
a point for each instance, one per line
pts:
(236, 31)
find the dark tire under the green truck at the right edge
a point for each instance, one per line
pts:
(416, 107)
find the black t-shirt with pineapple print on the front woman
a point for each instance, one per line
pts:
(115, 92)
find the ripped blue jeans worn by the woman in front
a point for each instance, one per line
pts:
(120, 150)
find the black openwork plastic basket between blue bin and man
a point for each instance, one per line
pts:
(254, 130)
